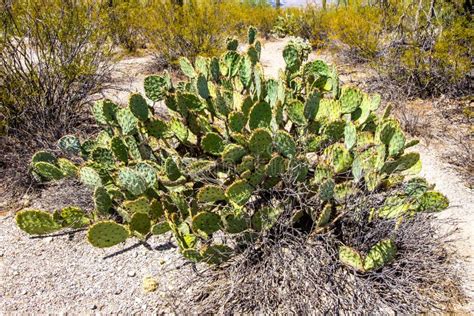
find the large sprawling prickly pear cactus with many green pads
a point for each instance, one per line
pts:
(234, 154)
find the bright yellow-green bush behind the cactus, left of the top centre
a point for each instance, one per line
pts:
(198, 27)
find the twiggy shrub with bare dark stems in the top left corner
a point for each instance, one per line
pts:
(53, 56)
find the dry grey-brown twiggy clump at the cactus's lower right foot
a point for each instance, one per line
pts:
(290, 272)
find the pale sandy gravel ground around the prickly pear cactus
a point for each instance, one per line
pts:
(64, 274)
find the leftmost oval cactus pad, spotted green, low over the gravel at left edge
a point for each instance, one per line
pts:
(36, 222)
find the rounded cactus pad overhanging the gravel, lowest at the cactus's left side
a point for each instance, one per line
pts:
(107, 234)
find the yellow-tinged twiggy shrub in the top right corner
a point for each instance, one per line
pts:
(431, 50)
